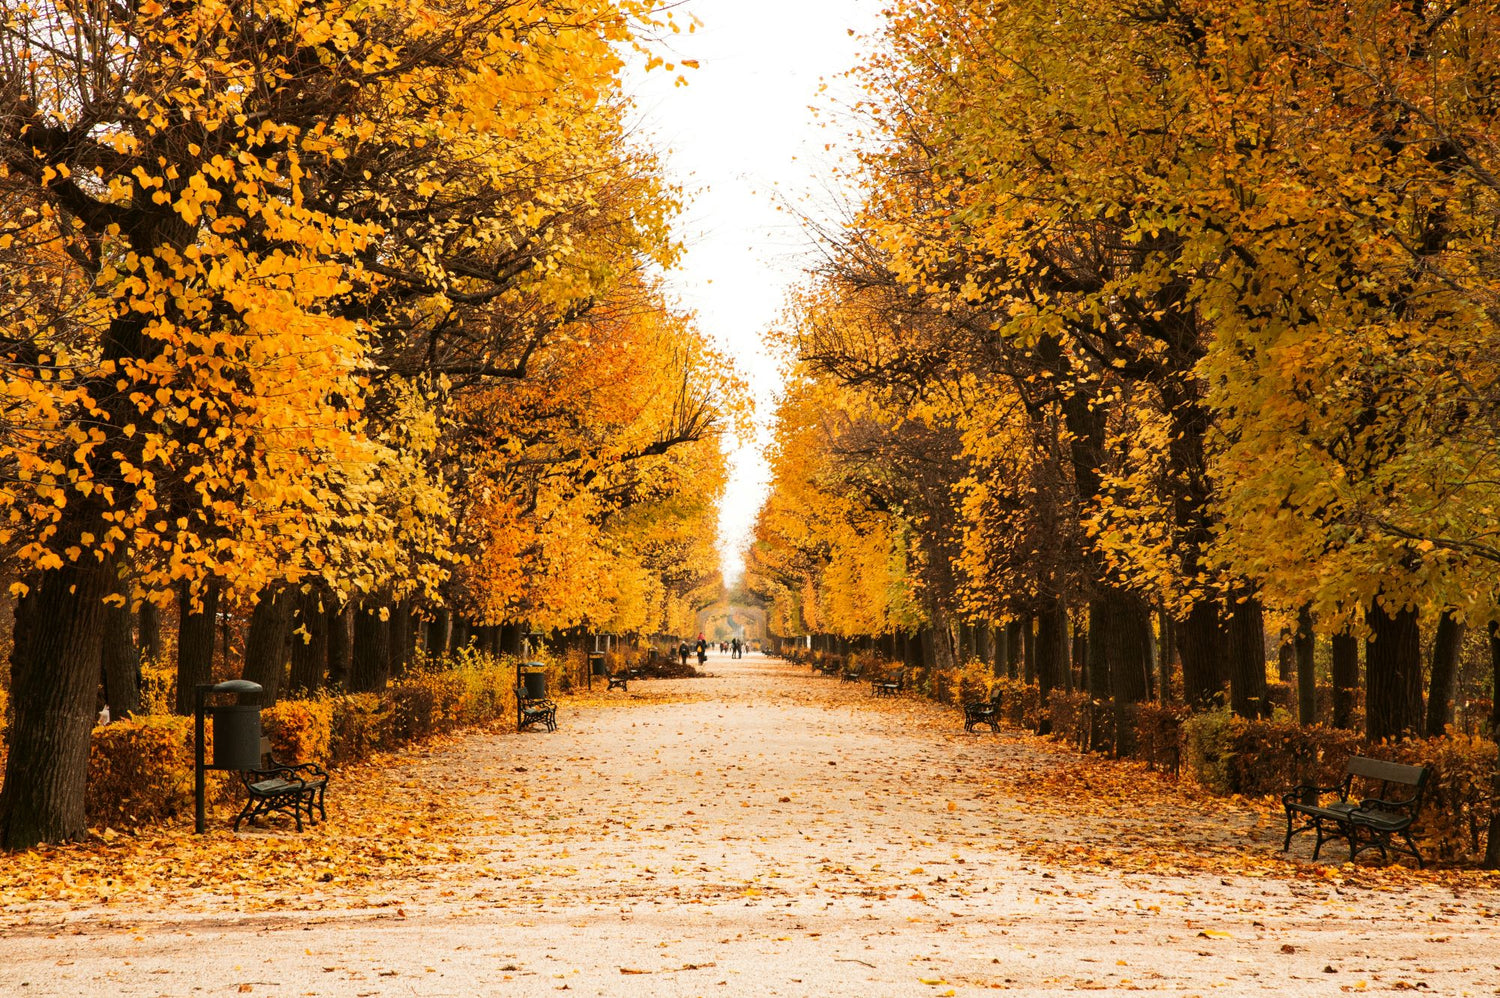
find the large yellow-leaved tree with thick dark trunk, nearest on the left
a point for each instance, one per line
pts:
(230, 227)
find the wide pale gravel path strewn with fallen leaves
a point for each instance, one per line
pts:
(761, 832)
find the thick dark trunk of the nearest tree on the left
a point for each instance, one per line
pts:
(55, 682)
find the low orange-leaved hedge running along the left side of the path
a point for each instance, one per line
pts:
(142, 771)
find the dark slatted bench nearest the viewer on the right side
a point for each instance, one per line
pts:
(1366, 823)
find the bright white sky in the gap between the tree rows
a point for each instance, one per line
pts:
(740, 137)
